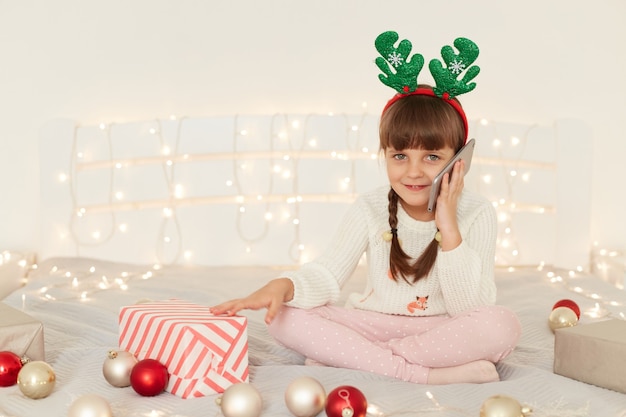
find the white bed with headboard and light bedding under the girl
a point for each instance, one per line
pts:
(206, 209)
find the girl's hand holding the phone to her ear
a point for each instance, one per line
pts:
(445, 213)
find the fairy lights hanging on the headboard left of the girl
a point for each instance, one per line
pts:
(284, 163)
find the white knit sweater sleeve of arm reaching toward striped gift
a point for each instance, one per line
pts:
(319, 282)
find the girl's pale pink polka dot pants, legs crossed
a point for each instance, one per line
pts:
(402, 347)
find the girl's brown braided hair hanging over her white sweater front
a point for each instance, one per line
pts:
(399, 261)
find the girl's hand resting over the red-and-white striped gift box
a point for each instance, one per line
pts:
(271, 296)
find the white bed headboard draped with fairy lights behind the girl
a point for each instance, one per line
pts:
(270, 190)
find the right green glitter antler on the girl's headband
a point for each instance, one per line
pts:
(446, 78)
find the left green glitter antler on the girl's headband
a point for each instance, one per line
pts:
(399, 70)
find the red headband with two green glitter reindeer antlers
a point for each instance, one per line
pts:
(400, 70)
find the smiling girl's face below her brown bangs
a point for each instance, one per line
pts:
(411, 173)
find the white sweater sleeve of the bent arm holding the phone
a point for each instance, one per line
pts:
(466, 273)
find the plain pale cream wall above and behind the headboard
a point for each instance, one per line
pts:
(123, 60)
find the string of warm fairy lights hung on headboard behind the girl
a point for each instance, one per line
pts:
(284, 163)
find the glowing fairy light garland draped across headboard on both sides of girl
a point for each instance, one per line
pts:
(281, 152)
